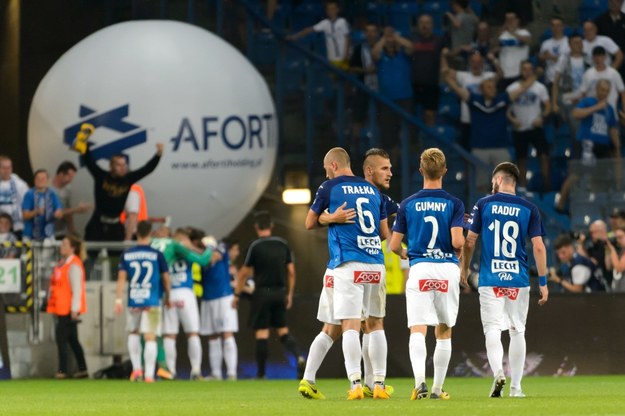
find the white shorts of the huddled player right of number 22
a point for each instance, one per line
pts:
(183, 311)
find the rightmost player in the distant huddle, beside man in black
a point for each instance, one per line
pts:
(218, 319)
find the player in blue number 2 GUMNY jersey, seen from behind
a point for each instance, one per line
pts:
(432, 220)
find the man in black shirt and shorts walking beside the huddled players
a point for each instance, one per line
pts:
(270, 261)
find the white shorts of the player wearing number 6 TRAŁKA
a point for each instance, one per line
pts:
(350, 298)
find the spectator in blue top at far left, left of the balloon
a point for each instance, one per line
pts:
(41, 208)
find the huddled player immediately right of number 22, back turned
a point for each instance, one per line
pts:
(184, 308)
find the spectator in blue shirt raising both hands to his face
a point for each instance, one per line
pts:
(392, 55)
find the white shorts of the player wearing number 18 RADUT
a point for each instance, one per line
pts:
(504, 308)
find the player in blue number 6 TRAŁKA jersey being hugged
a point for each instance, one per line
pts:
(356, 260)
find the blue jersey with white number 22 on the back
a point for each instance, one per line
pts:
(144, 267)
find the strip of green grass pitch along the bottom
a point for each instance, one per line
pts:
(546, 396)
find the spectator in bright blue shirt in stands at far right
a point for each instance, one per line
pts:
(597, 136)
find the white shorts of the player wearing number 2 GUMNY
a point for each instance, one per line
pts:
(432, 294)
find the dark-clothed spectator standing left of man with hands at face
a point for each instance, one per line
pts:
(363, 64)
